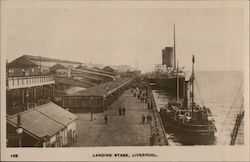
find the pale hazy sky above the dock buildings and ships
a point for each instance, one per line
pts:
(122, 33)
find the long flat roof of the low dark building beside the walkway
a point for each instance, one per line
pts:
(102, 89)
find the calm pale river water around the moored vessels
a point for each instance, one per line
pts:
(218, 91)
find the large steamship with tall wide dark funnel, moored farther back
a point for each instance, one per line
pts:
(165, 76)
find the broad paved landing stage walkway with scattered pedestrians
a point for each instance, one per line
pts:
(125, 130)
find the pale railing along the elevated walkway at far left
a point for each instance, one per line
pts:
(28, 81)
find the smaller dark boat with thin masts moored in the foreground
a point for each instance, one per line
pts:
(192, 119)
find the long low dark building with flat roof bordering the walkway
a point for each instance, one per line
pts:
(97, 98)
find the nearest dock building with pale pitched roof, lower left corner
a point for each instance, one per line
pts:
(47, 125)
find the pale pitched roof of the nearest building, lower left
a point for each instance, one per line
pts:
(44, 120)
